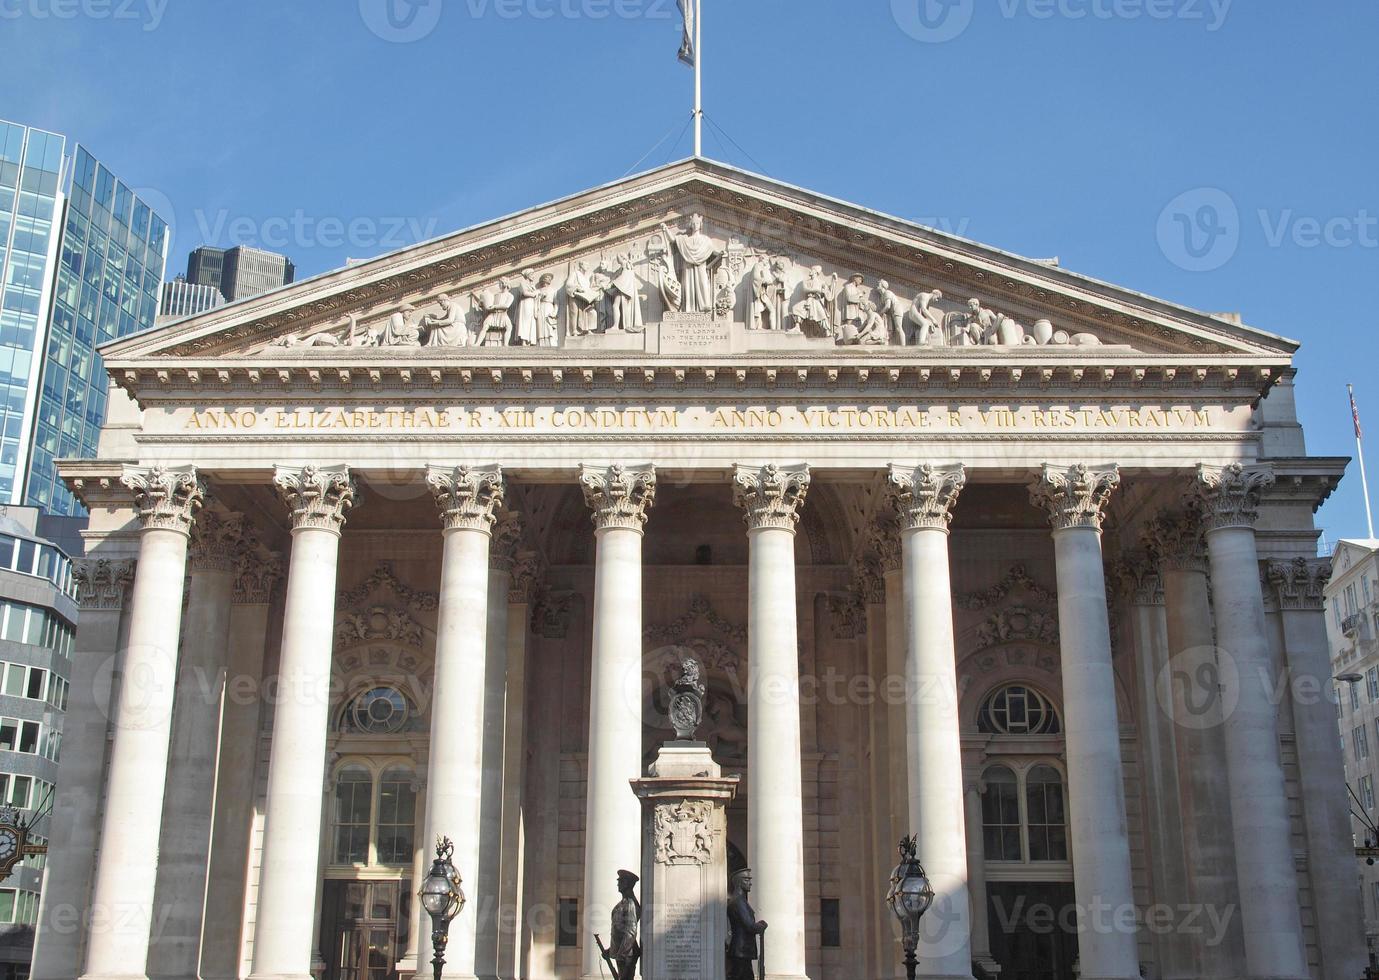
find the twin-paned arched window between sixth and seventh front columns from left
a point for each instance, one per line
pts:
(1024, 815)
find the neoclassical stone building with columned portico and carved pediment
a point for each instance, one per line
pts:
(967, 545)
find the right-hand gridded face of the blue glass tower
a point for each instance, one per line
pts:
(108, 280)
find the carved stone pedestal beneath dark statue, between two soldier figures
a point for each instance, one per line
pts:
(685, 865)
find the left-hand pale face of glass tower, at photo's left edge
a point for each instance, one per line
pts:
(31, 174)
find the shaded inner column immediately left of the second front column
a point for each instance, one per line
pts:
(256, 578)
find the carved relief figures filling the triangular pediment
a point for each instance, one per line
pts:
(692, 272)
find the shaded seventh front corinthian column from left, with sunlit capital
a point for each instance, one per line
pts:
(1076, 504)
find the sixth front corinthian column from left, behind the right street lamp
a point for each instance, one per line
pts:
(926, 498)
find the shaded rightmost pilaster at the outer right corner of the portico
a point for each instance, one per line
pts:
(1320, 764)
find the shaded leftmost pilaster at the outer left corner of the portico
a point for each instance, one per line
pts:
(67, 891)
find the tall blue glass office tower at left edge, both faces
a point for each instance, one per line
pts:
(81, 269)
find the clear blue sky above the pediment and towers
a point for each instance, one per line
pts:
(1218, 154)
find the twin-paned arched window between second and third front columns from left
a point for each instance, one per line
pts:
(376, 817)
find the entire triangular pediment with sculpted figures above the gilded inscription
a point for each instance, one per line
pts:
(772, 268)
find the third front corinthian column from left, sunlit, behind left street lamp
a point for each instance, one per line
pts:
(468, 500)
